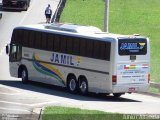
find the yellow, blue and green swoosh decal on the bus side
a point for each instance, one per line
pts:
(46, 69)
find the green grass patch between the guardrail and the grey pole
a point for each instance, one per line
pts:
(84, 12)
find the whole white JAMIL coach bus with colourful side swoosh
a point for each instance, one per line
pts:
(81, 58)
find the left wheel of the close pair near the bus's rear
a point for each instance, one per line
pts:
(72, 84)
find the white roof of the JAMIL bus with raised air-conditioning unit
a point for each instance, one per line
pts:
(76, 30)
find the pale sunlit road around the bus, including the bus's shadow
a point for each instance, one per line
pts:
(18, 98)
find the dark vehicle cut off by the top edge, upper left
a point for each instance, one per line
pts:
(16, 4)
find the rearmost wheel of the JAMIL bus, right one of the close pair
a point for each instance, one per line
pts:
(83, 86)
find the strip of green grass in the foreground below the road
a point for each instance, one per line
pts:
(64, 113)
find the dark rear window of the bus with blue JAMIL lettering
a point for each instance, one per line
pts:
(132, 46)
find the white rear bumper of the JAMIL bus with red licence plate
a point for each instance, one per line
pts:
(130, 88)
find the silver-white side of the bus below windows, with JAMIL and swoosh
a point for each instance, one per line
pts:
(52, 71)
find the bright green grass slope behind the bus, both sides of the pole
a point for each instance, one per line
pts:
(125, 17)
